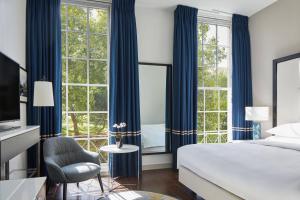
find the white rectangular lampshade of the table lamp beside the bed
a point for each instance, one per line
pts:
(257, 114)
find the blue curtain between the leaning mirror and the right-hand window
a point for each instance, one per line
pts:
(184, 119)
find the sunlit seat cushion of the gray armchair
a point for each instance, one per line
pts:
(80, 171)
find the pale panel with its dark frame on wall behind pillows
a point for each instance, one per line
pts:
(286, 96)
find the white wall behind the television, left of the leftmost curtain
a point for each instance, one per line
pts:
(12, 43)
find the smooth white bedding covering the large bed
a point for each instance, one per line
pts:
(260, 170)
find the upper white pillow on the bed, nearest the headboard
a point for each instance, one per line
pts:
(286, 130)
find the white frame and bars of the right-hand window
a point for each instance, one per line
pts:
(222, 21)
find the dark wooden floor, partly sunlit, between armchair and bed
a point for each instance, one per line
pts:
(159, 181)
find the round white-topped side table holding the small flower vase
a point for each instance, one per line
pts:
(126, 148)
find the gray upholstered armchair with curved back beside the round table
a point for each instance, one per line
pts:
(67, 162)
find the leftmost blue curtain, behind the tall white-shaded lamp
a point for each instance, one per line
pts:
(43, 61)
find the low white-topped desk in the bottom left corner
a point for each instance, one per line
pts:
(27, 189)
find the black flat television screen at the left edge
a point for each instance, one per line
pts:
(9, 89)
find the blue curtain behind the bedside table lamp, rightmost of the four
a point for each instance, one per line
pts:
(241, 78)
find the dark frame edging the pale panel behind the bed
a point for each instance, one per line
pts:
(275, 67)
